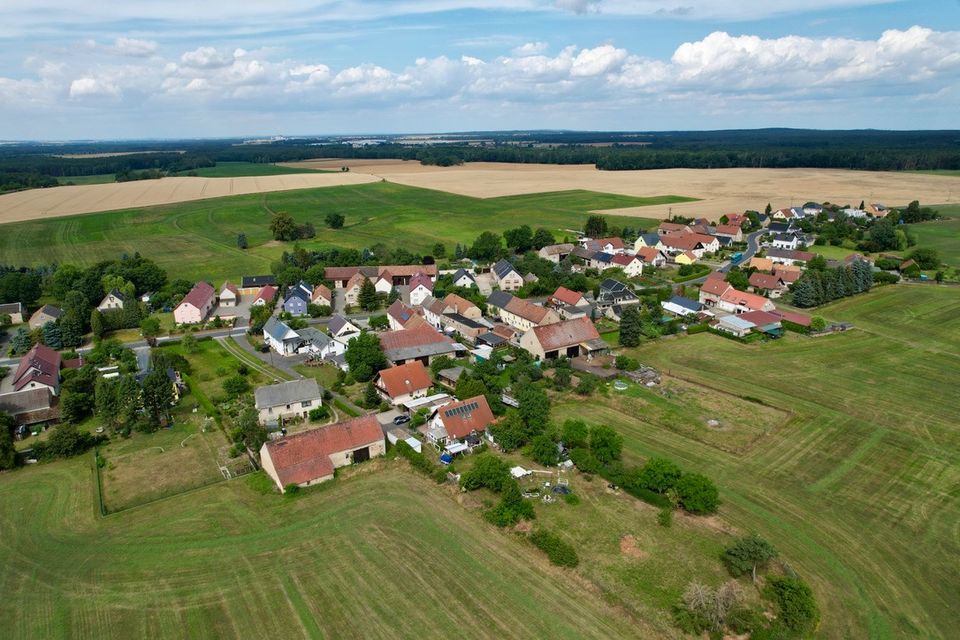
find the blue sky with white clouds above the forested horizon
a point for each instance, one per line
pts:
(115, 69)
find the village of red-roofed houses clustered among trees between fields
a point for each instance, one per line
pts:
(415, 330)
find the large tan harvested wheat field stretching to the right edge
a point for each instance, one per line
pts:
(719, 190)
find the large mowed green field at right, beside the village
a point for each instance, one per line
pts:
(859, 489)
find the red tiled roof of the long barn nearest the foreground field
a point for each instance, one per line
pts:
(305, 456)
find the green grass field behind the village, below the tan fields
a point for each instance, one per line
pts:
(199, 239)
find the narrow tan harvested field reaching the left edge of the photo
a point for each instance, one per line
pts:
(70, 200)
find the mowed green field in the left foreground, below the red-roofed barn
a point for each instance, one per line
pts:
(379, 553)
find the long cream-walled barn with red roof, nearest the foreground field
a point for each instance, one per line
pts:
(310, 457)
